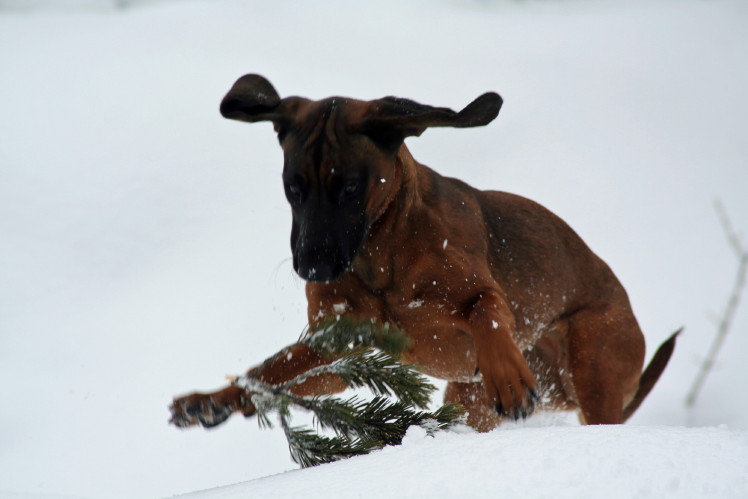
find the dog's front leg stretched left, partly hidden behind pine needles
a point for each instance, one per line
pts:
(211, 409)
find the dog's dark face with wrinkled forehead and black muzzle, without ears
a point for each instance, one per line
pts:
(333, 178)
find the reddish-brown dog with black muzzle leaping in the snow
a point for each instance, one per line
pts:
(499, 296)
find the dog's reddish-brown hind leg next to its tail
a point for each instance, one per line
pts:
(606, 354)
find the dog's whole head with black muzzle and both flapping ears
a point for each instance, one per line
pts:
(339, 162)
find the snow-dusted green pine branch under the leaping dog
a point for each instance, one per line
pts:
(366, 358)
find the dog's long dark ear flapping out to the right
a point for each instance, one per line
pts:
(393, 119)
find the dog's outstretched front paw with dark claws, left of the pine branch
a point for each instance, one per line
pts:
(210, 410)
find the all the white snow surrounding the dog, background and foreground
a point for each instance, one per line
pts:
(144, 239)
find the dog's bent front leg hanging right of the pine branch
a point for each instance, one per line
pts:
(509, 383)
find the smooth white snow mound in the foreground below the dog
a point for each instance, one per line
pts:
(566, 461)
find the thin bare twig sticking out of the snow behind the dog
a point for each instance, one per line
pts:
(732, 304)
